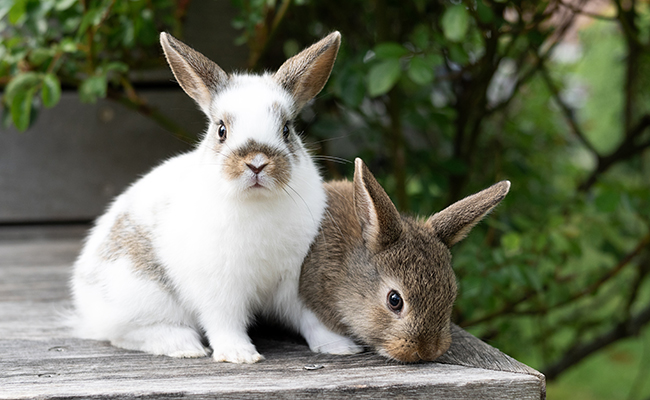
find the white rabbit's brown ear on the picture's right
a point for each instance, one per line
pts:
(305, 74)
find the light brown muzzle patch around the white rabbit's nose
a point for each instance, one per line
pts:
(258, 165)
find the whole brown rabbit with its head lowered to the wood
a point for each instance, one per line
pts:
(383, 278)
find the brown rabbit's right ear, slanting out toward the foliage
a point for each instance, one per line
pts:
(454, 222)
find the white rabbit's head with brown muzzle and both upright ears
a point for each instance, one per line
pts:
(250, 135)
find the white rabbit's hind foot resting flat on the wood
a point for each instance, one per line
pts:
(160, 339)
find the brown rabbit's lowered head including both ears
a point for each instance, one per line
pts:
(402, 287)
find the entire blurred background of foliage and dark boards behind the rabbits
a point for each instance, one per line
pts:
(440, 98)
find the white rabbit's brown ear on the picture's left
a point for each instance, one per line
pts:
(199, 77)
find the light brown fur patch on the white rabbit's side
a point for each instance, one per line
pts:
(128, 239)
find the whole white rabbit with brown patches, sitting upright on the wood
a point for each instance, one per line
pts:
(207, 240)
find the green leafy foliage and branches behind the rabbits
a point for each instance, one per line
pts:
(441, 99)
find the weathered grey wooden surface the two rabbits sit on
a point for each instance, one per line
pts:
(39, 358)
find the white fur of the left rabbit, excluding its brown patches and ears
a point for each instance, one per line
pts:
(229, 250)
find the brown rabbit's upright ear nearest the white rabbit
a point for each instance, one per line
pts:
(380, 222)
